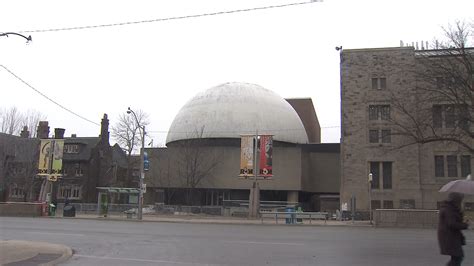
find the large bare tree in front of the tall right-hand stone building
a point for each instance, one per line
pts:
(440, 108)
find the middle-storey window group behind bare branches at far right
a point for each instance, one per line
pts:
(450, 116)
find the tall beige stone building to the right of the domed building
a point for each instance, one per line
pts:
(383, 92)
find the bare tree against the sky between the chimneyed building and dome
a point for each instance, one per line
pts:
(127, 133)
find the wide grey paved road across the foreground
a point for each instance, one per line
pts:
(115, 243)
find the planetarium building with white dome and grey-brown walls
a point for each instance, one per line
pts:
(200, 164)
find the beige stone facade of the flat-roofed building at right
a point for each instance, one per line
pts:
(370, 78)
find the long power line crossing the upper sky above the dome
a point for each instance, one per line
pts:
(169, 18)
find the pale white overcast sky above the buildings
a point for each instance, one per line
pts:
(158, 66)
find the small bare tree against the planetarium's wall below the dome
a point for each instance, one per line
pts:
(196, 161)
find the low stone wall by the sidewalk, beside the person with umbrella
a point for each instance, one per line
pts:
(406, 218)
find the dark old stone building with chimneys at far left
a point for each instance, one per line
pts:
(88, 162)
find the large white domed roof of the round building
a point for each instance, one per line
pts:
(233, 109)
